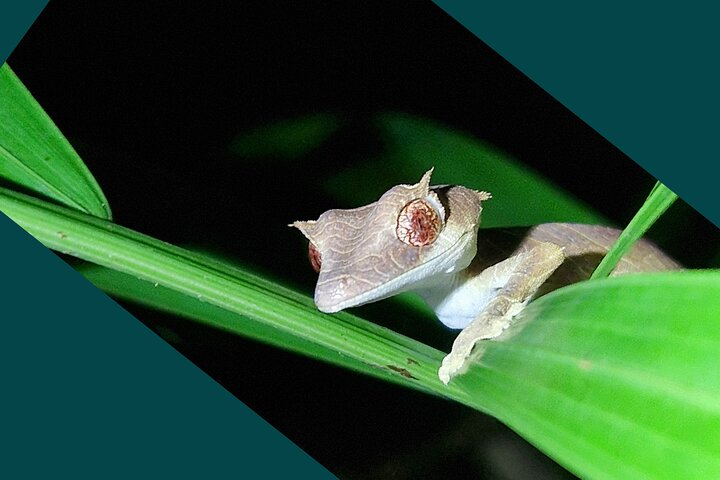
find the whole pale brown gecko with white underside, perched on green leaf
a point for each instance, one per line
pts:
(425, 239)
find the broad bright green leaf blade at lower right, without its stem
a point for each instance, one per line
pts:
(615, 378)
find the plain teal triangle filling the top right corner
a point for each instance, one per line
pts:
(644, 75)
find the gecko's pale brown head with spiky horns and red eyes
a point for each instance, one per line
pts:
(412, 237)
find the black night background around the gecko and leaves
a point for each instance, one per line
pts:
(152, 94)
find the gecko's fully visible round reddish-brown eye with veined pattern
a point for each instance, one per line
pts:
(419, 222)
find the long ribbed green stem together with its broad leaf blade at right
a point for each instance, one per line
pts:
(613, 378)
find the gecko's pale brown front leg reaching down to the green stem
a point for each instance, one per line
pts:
(528, 271)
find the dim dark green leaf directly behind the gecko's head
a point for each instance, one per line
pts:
(412, 145)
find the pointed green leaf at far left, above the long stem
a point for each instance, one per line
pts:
(35, 155)
